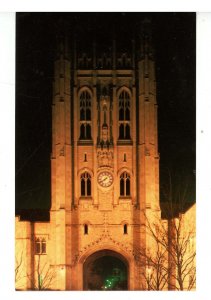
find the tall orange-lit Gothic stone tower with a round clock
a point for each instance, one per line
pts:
(104, 161)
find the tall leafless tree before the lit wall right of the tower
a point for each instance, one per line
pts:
(173, 255)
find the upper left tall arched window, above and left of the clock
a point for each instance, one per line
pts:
(85, 116)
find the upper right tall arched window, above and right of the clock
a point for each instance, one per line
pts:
(124, 116)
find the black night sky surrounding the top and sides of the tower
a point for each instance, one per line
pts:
(174, 38)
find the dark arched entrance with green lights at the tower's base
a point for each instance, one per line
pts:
(105, 270)
